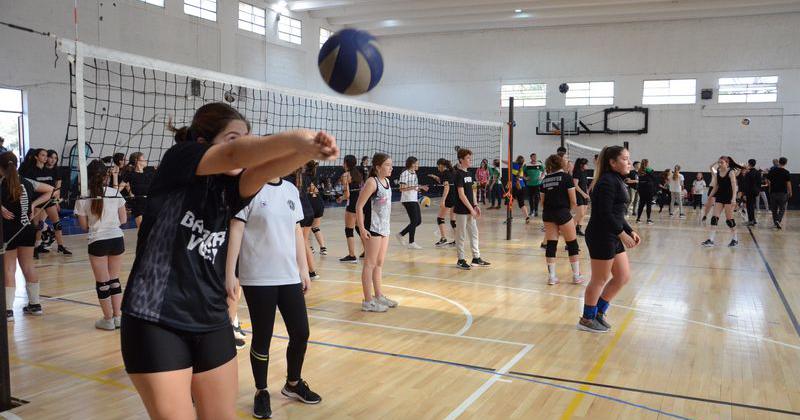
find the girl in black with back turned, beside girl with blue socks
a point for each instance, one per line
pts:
(558, 197)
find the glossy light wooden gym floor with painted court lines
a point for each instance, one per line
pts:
(698, 333)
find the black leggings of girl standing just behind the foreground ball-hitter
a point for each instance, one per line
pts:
(261, 302)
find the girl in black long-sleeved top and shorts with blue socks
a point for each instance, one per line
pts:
(607, 236)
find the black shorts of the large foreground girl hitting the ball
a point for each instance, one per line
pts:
(148, 347)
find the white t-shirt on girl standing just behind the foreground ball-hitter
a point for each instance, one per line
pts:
(269, 248)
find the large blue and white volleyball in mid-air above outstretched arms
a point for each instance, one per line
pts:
(350, 62)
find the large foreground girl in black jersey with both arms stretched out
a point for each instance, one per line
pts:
(177, 343)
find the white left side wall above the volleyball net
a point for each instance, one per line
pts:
(133, 26)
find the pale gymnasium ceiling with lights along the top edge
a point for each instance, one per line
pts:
(400, 17)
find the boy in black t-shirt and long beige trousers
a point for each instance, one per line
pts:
(466, 212)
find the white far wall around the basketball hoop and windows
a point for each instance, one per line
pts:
(461, 74)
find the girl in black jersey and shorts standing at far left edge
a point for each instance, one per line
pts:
(18, 233)
